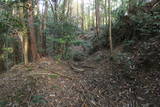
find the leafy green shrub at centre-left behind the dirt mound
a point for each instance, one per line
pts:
(62, 35)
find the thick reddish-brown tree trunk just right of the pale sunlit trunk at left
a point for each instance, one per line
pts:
(32, 31)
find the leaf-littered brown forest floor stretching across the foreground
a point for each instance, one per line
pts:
(89, 83)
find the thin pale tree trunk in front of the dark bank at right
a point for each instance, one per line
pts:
(110, 26)
